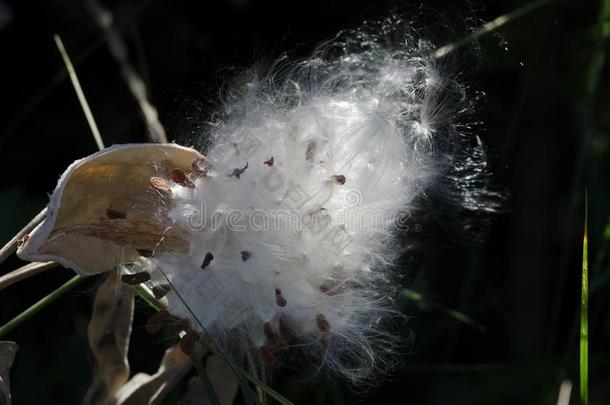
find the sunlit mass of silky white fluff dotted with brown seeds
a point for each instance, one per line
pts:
(375, 111)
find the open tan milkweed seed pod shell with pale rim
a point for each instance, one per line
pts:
(110, 207)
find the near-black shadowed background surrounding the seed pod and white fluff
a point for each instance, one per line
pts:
(548, 139)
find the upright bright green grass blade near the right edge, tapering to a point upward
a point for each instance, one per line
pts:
(584, 317)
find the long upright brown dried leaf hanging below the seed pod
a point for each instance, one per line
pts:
(109, 333)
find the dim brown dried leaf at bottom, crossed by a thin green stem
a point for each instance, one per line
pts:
(223, 379)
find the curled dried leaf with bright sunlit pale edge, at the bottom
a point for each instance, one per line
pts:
(144, 389)
